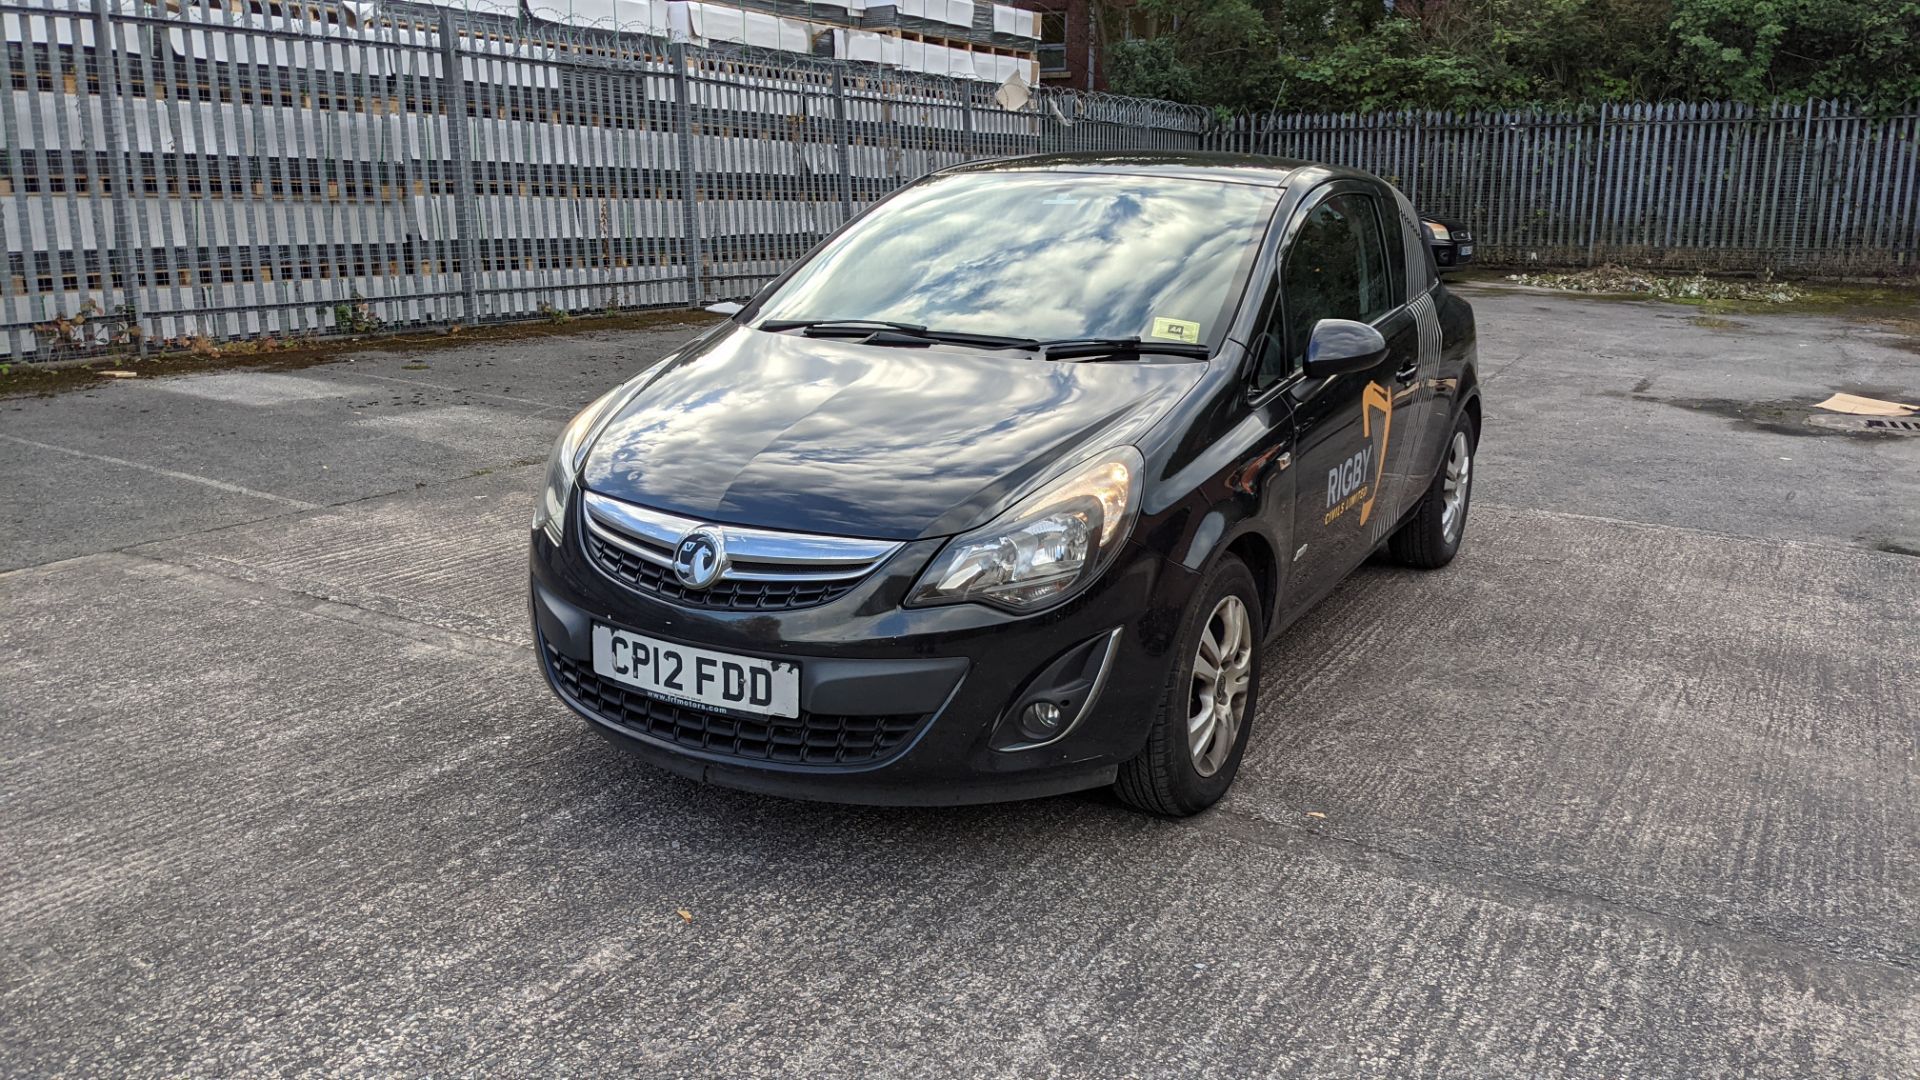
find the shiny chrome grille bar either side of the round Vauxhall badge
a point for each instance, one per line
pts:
(754, 554)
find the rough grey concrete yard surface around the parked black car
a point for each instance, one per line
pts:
(1629, 791)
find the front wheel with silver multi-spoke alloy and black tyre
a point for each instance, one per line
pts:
(1207, 708)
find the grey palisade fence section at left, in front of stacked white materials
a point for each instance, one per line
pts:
(181, 174)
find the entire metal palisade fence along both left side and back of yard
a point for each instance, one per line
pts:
(212, 170)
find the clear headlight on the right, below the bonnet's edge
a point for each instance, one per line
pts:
(1047, 549)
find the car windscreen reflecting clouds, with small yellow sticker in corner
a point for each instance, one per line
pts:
(1044, 257)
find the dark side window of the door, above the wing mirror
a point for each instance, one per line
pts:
(1335, 270)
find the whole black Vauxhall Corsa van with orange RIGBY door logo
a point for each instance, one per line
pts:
(1003, 487)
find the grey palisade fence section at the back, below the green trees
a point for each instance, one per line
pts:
(1815, 187)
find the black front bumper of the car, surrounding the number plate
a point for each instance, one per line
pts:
(917, 704)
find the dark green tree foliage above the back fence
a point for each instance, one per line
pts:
(1464, 55)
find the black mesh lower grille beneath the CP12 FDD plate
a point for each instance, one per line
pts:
(811, 739)
